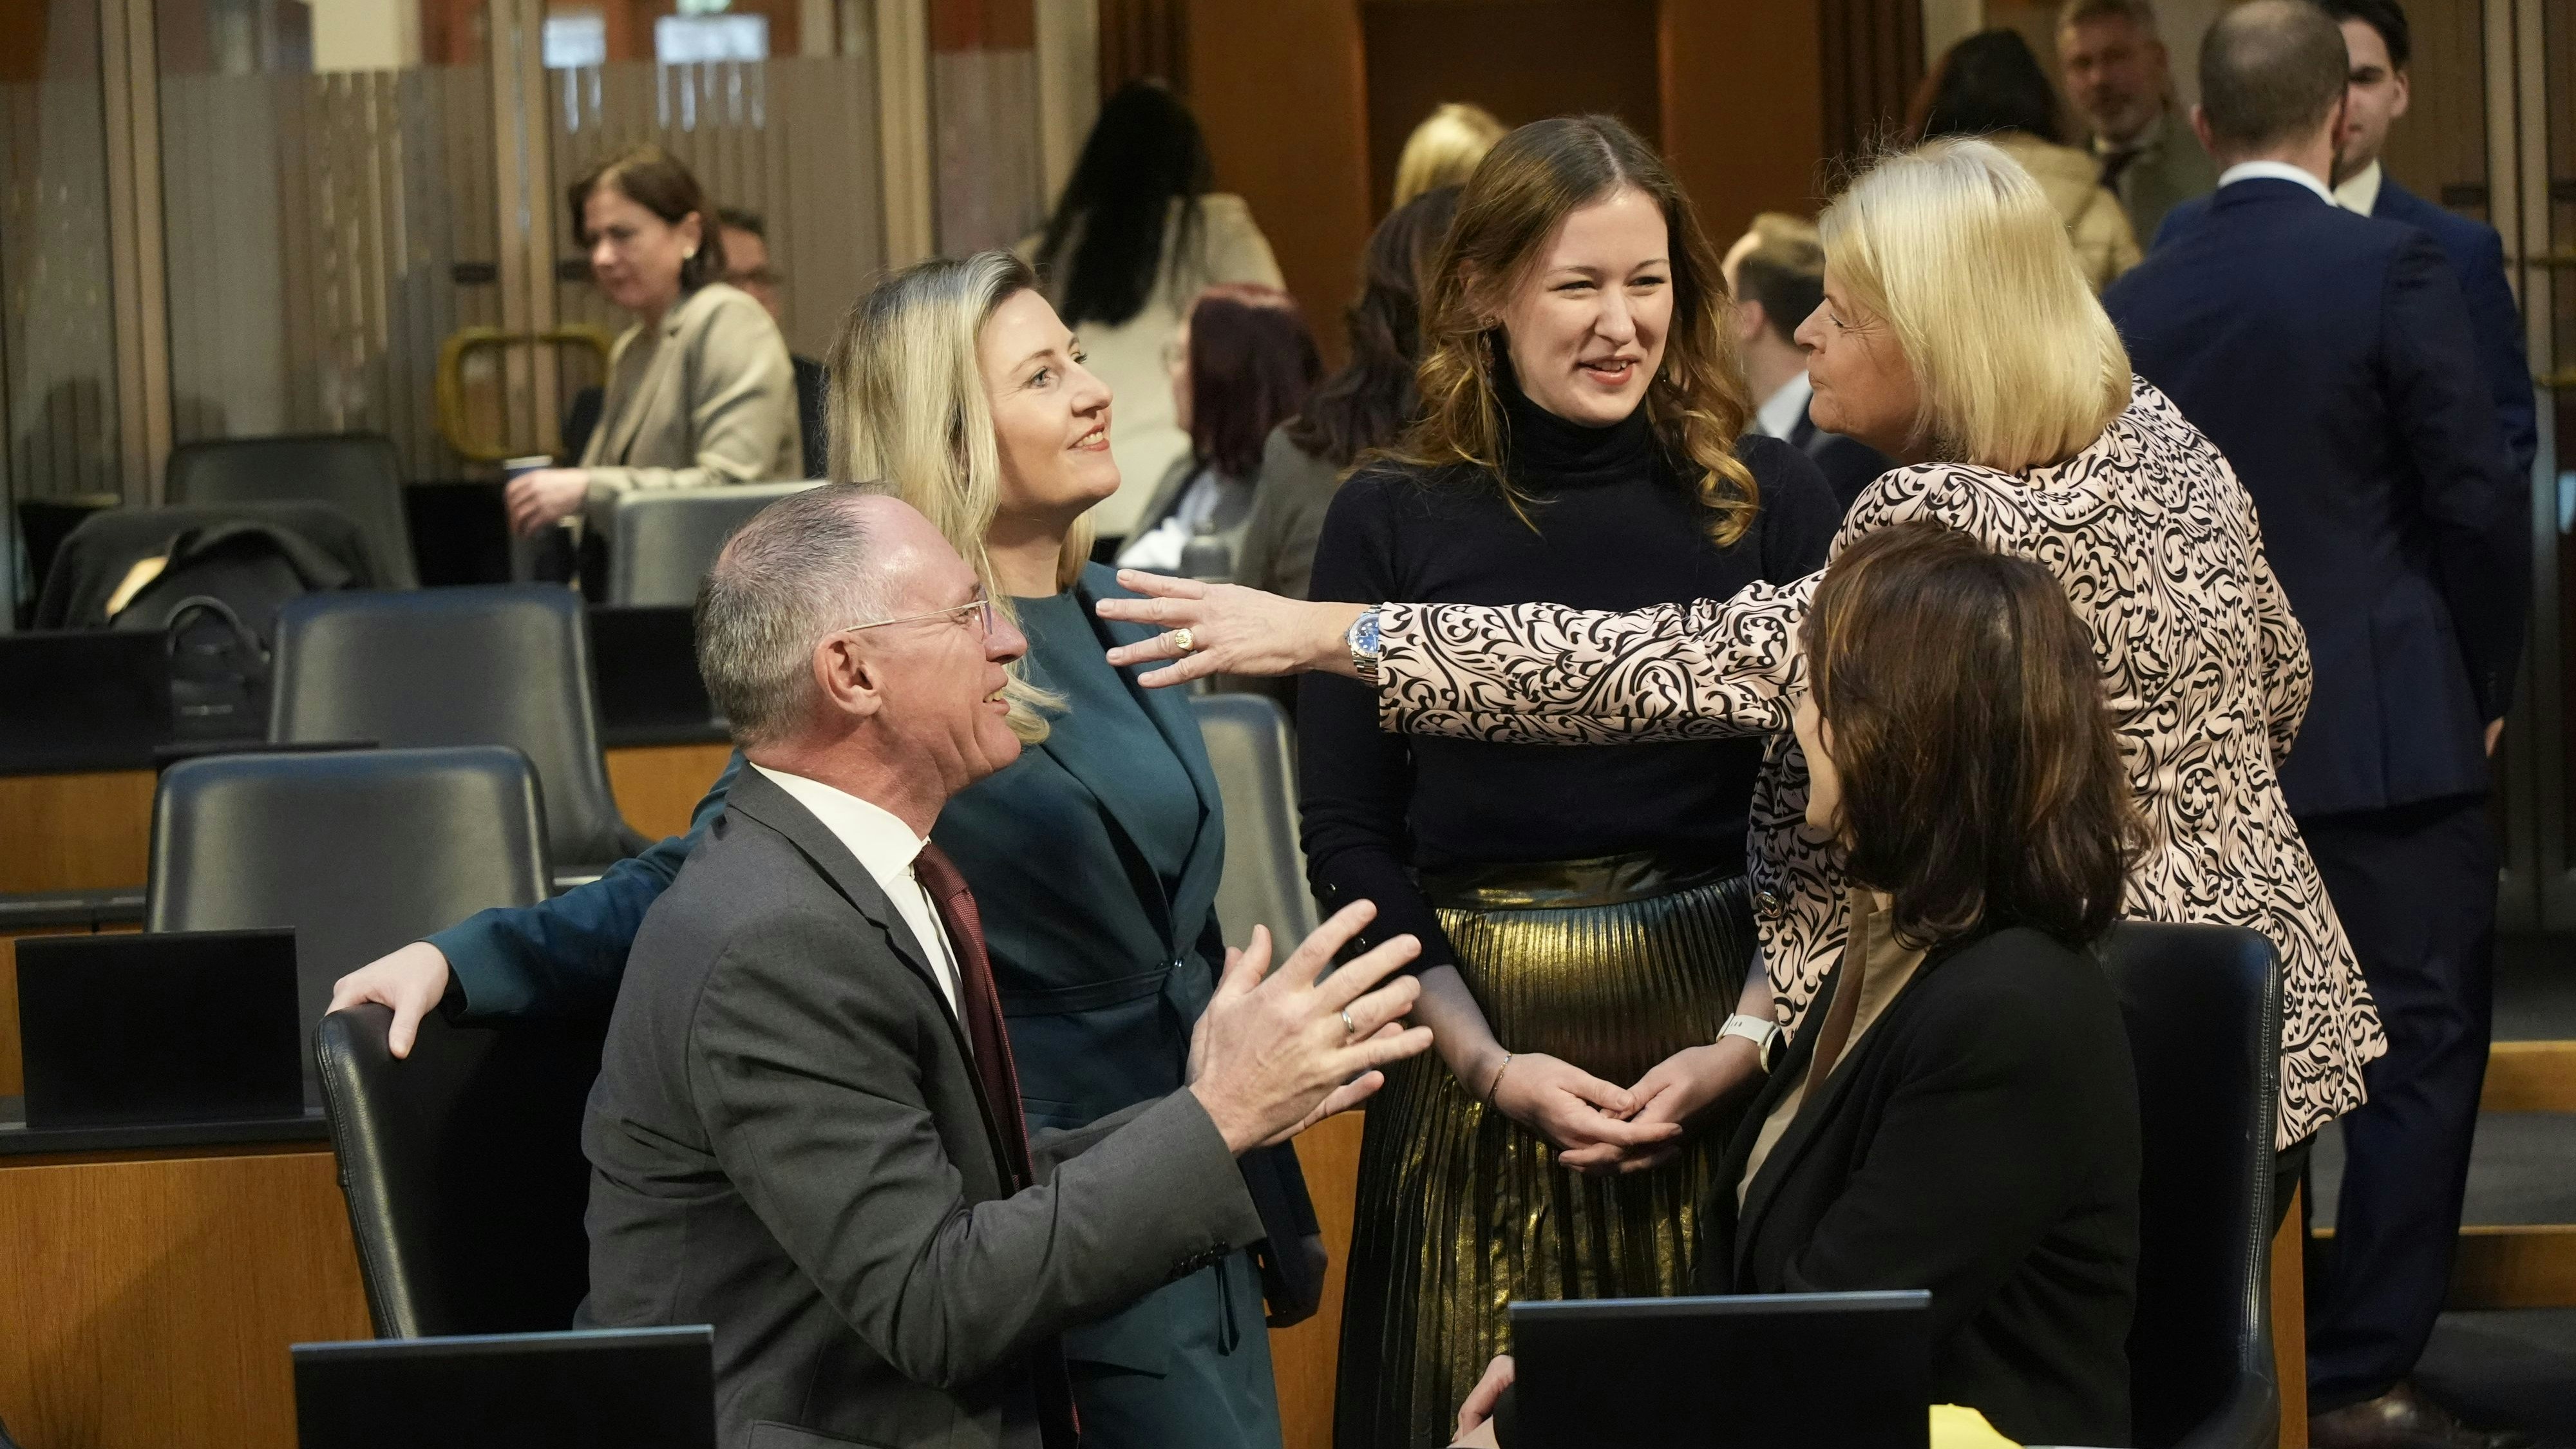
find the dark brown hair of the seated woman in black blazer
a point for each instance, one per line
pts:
(1982, 785)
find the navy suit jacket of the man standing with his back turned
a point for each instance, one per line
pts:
(2333, 362)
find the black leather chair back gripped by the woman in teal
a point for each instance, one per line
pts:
(462, 1167)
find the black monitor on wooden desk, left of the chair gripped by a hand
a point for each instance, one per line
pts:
(161, 1027)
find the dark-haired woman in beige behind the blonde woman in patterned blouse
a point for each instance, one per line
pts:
(1993, 86)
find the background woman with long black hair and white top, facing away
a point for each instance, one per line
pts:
(1135, 238)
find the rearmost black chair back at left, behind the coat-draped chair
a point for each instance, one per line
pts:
(354, 473)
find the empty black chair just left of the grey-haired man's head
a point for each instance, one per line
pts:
(460, 666)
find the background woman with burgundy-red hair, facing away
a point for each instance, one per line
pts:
(1240, 367)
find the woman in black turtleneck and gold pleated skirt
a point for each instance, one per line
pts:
(1583, 911)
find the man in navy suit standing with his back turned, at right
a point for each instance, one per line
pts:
(2333, 362)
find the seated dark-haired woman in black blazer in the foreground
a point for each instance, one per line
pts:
(1962, 1110)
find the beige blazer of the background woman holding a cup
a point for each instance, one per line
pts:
(705, 401)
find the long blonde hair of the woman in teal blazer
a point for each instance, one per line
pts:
(911, 416)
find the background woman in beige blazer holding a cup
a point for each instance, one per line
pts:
(699, 391)
